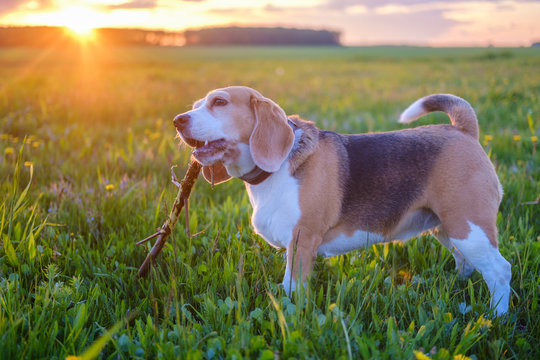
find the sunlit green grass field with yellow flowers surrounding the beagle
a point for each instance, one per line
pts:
(85, 150)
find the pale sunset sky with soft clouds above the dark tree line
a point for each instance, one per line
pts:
(361, 22)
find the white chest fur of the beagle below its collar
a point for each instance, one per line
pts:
(276, 208)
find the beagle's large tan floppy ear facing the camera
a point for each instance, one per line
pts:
(272, 137)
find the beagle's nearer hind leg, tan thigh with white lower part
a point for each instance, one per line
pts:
(465, 196)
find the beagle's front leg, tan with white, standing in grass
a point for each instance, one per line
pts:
(300, 255)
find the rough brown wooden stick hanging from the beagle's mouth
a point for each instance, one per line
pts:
(181, 199)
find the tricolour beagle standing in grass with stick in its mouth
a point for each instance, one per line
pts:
(317, 192)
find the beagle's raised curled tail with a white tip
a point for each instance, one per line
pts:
(460, 111)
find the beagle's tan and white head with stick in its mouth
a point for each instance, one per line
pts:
(233, 130)
